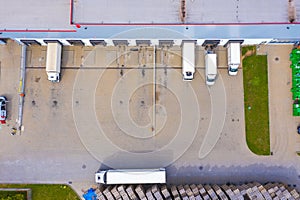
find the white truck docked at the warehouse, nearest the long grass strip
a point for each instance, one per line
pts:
(233, 57)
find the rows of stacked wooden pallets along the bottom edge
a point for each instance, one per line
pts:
(198, 192)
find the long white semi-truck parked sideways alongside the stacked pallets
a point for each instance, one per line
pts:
(131, 176)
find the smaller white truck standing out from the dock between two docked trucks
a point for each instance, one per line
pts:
(210, 67)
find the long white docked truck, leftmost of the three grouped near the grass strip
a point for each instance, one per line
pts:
(188, 60)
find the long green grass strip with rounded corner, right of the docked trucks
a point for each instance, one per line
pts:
(255, 73)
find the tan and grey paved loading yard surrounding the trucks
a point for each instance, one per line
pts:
(103, 114)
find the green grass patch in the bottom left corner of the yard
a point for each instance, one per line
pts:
(46, 191)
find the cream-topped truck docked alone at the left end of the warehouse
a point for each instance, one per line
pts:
(53, 61)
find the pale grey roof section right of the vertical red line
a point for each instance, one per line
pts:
(170, 11)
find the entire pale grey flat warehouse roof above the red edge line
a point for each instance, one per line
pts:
(61, 14)
